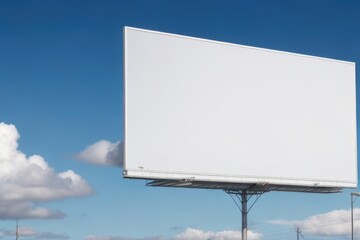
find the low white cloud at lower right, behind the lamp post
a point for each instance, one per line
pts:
(332, 223)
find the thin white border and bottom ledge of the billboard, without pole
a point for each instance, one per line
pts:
(196, 180)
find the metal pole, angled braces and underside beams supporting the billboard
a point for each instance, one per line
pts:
(243, 192)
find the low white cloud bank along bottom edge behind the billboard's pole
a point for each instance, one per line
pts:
(189, 234)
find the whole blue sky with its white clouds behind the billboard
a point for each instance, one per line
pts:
(61, 81)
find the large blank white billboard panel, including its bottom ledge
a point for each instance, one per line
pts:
(213, 111)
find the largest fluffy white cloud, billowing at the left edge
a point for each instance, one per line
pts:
(25, 181)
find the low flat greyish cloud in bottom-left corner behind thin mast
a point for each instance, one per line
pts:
(30, 232)
